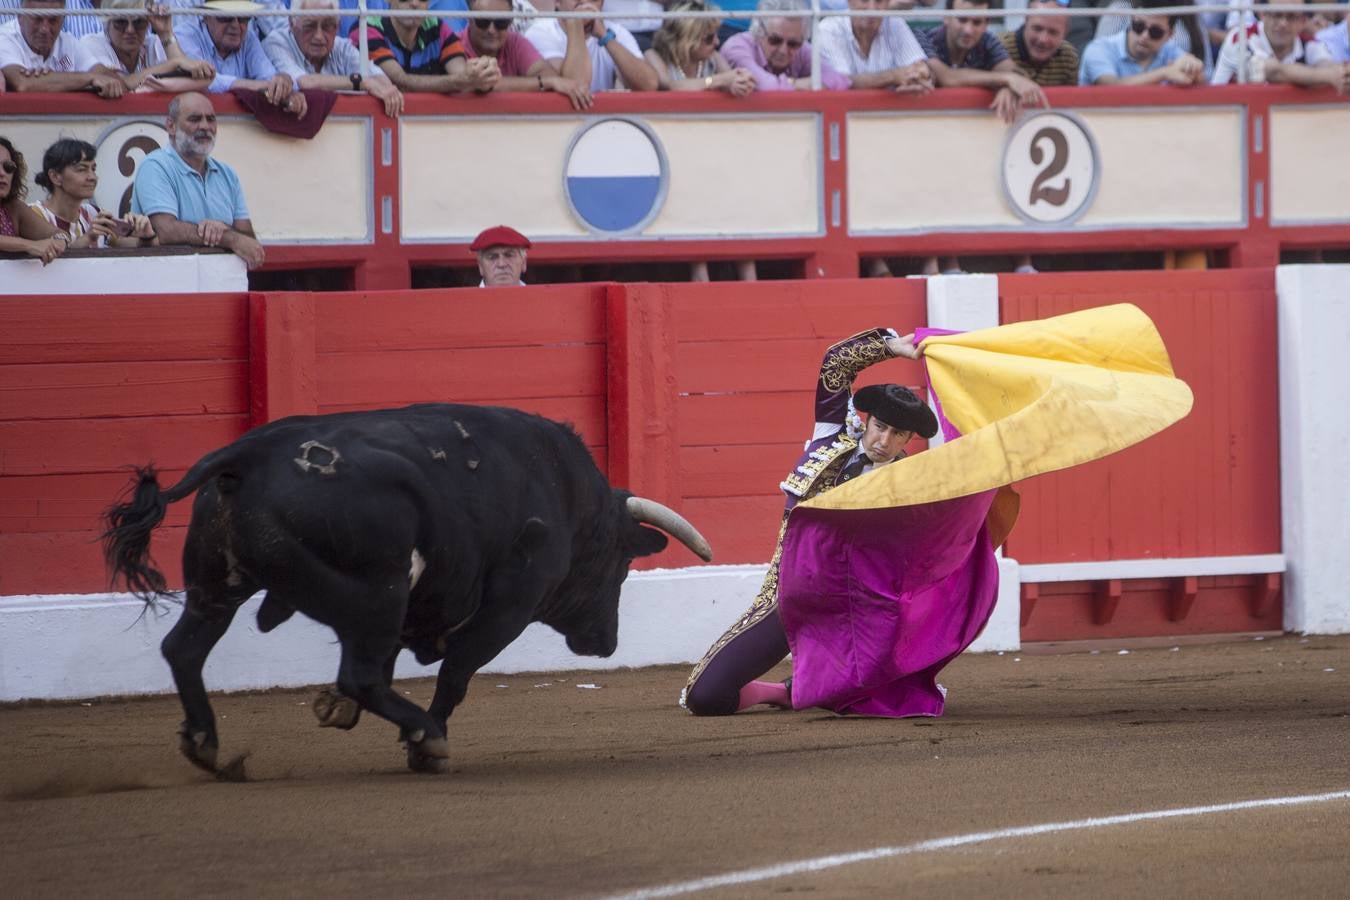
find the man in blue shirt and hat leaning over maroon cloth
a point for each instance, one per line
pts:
(236, 53)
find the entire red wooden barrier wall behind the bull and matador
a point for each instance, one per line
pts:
(697, 396)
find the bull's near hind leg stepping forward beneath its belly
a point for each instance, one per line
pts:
(365, 677)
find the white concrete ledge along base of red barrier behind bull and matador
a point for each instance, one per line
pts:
(107, 644)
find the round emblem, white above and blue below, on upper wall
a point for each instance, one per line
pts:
(615, 176)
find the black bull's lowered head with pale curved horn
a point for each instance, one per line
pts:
(593, 628)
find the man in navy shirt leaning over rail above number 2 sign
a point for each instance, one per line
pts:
(965, 55)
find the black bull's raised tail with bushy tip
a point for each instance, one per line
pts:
(129, 526)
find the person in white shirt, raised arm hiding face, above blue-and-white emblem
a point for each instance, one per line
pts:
(605, 56)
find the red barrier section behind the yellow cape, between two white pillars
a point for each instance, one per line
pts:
(1209, 486)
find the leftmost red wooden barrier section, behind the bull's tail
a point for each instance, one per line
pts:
(90, 387)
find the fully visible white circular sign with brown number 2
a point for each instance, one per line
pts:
(1051, 169)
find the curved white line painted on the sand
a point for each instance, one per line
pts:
(784, 870)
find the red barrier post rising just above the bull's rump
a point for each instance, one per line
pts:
(283, 357)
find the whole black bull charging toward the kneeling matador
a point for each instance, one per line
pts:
(446, 530)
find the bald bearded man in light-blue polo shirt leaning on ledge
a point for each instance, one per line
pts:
(191, 198)
